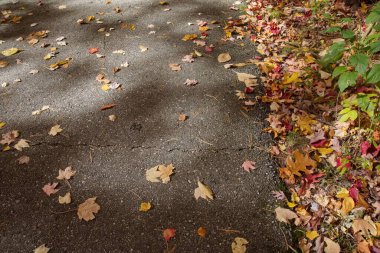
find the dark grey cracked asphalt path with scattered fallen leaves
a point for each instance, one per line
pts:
(111, 157)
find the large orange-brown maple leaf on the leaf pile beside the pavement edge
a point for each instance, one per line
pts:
(300, 163)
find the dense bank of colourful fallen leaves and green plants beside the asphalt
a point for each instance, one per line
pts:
(321, 74)
